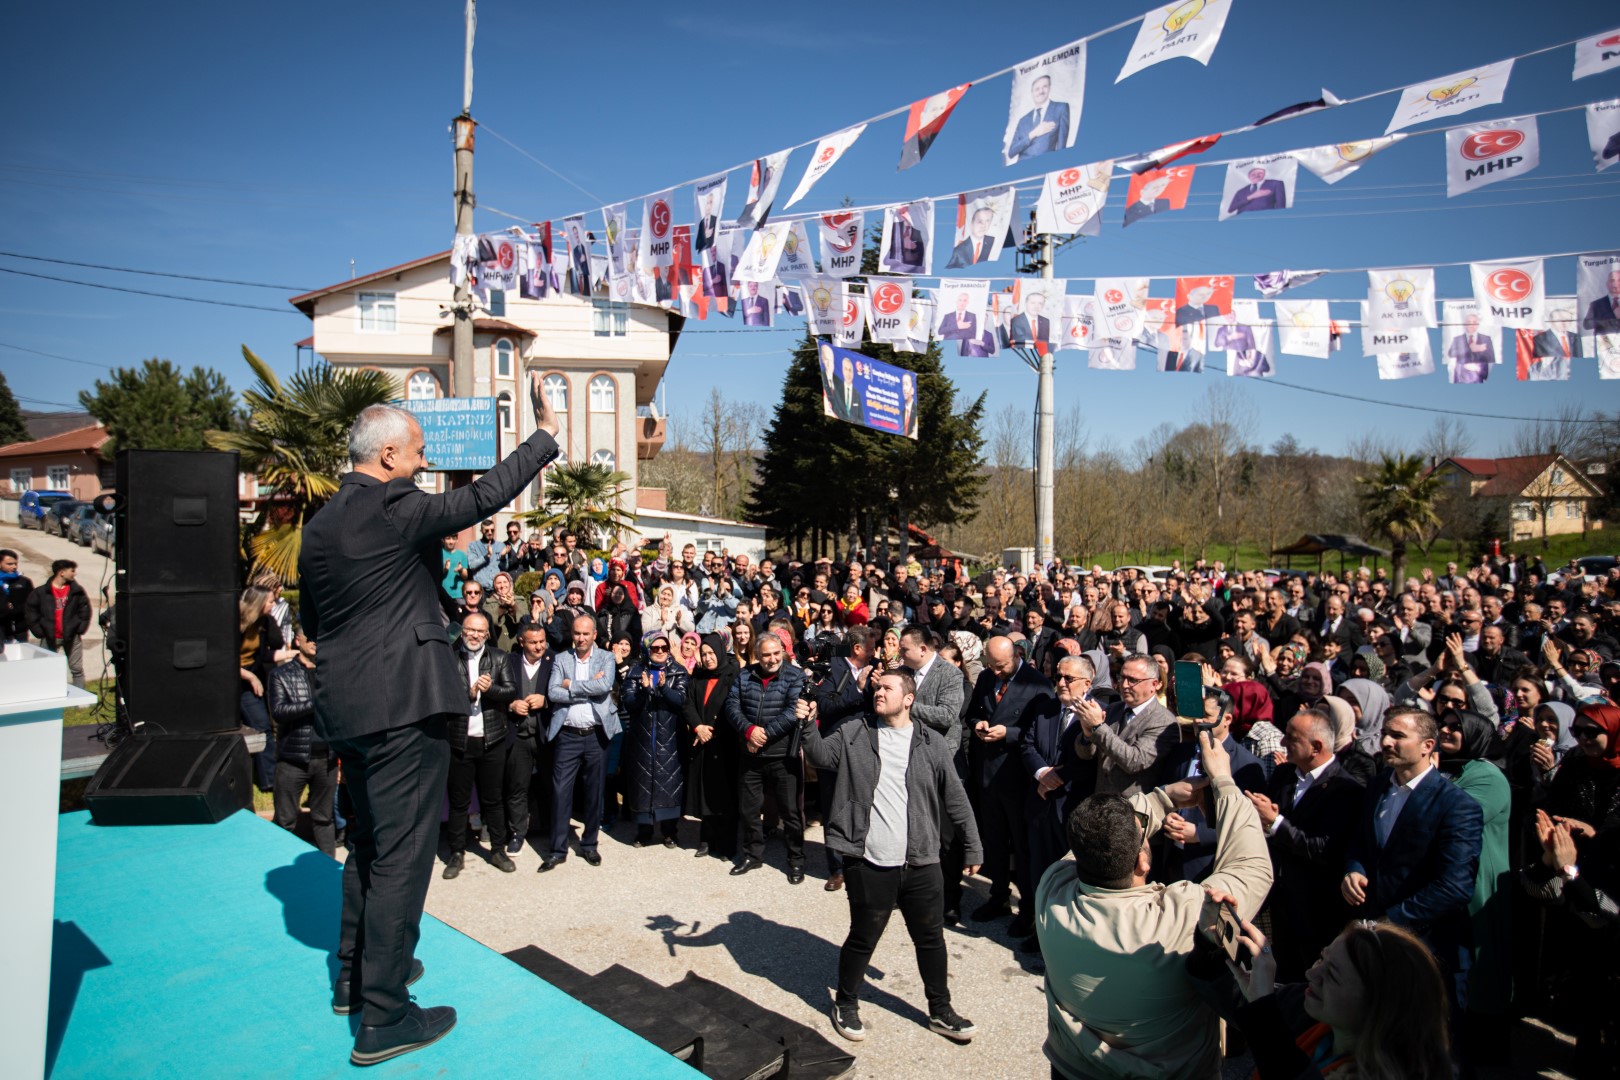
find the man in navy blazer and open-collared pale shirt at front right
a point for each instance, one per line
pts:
(1415, 853)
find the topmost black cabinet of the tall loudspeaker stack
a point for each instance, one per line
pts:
(177, 527)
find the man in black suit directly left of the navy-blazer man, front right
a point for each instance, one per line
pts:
(1308, 815)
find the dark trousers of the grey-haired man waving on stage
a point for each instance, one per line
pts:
(396, 780)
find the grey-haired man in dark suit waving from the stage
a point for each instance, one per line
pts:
(370, 571)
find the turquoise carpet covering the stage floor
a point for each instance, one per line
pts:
(207, 951)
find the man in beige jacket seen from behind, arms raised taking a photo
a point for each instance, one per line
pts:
(1119, 1001)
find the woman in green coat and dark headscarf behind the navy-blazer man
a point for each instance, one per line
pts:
(1465, 746)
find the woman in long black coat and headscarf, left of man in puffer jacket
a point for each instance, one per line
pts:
(712, 763)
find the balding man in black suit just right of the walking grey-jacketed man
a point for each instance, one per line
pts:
(1007, 700)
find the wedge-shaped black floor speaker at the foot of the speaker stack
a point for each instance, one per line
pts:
(171, 780)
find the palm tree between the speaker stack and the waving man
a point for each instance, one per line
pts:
(297, 443)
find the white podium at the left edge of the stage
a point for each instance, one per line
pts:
(33, 694)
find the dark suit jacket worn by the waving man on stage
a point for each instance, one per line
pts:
(370, 576)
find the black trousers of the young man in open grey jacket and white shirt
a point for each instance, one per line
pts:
(874, 893)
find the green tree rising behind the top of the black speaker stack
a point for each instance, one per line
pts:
(158, 407)
